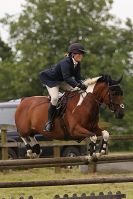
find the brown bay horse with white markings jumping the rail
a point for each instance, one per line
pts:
(80, 119)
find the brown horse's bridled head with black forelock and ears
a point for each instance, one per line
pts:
(110, 92)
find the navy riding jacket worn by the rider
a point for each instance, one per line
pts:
(64, 70)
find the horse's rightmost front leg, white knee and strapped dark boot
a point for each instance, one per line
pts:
(104, 144)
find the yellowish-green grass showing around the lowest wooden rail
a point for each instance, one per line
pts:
(50, 192)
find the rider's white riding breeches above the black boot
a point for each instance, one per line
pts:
(54, 91)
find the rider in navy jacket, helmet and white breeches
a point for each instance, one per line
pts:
(65, 74)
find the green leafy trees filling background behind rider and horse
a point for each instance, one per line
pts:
(40, 36)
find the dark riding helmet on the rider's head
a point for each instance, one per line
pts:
(76, 48)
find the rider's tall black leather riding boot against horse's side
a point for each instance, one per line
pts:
(51, 116)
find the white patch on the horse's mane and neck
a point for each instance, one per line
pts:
(90, 83)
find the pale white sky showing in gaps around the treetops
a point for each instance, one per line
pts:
(121, 8)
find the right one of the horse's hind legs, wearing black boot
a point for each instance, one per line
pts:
(35, 147)
